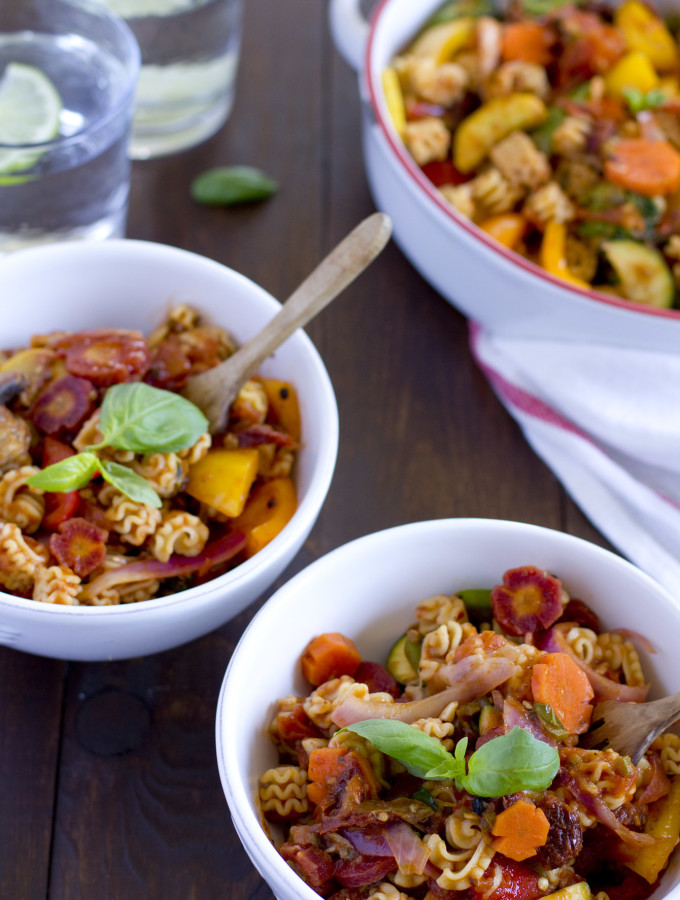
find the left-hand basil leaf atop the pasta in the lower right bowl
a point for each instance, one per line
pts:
(419, 753)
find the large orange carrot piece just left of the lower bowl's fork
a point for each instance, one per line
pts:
(560, 683)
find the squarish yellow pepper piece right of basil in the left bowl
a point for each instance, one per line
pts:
(223, 479)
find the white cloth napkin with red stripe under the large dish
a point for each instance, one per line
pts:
(606, 420)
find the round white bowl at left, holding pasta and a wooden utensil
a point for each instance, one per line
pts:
(132, 284)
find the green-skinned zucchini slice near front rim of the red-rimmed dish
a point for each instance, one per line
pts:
(644, 274)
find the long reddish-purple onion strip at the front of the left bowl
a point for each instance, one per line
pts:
(216, 552)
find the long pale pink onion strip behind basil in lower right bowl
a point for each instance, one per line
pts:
(480, 679)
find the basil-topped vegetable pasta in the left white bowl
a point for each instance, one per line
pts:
(112, 489)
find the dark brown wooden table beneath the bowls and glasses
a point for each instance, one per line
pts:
(108, 778)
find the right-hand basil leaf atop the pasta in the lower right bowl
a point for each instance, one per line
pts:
(512, 762)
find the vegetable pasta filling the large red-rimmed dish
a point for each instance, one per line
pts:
(555, 127)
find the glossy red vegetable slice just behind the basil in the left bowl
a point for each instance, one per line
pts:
(106, 356)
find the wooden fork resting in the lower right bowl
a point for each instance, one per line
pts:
(629, 728)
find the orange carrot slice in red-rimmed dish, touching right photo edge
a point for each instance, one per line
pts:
(647, 167)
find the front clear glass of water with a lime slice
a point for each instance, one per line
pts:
(68, 70)
